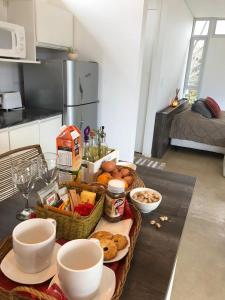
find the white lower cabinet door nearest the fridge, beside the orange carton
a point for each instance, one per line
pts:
(49, 129)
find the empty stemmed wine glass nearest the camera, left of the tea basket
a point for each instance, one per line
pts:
(23, 175)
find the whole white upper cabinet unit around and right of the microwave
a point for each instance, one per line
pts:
(47, 24)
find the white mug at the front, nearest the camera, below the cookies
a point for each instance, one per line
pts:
(80, 265)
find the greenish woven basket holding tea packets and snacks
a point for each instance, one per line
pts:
(71, 227)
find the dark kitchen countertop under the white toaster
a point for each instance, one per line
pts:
(17, 117)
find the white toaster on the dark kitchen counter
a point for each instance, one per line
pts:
(10, 100)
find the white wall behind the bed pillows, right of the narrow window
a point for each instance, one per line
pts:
(213, 80)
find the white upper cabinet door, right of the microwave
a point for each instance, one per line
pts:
(54, 25)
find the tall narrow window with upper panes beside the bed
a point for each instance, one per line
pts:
(203, 30)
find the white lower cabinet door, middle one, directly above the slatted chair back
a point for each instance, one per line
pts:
(24, 135)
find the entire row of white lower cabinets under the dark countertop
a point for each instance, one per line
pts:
(43, 132)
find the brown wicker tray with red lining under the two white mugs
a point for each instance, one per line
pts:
(10, 290)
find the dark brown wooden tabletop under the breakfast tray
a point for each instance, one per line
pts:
(156, 249)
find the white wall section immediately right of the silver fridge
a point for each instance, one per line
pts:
(109, 32)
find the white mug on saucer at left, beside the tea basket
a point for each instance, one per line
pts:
(33, 243)
